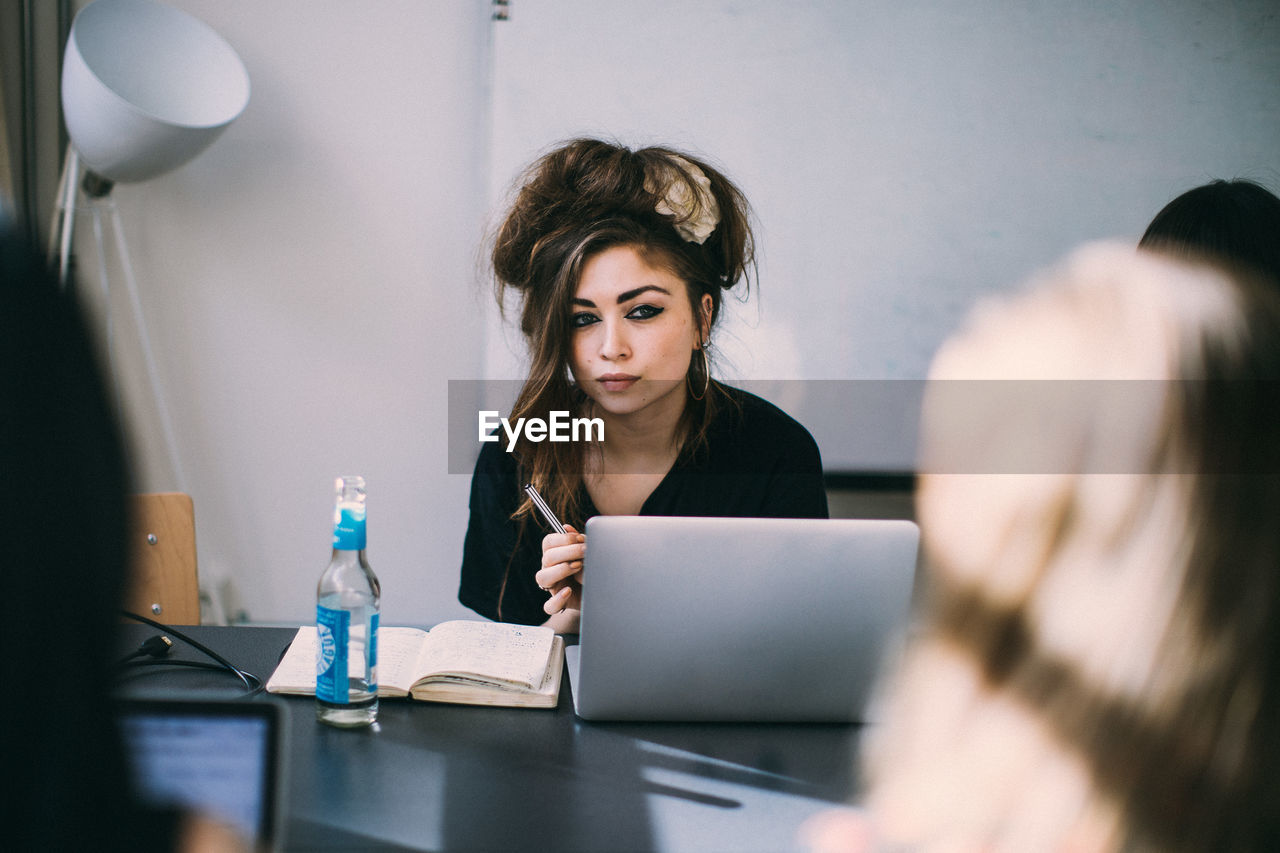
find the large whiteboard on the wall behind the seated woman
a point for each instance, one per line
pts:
(903, 159)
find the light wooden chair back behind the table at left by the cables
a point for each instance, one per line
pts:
(163, 551)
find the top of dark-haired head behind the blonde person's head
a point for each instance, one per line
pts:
(1237, 222)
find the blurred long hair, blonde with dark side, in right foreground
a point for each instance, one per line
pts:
(1100, 507)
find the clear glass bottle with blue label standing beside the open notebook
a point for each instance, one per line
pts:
(348, 606)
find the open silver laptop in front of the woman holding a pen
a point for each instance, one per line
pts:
(752, 621)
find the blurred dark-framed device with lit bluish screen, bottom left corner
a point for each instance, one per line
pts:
(222, 758)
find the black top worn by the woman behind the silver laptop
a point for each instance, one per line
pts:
(758, 463)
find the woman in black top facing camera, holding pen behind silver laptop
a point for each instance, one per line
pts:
(620, 259)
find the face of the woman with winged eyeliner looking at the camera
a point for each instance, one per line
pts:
(634, 332)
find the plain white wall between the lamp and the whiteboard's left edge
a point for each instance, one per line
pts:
(309, 288)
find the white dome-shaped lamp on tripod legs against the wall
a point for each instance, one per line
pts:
(145, 89)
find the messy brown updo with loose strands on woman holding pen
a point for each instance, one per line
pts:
(583, 198)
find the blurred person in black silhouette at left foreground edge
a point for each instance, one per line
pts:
(63, 462)
